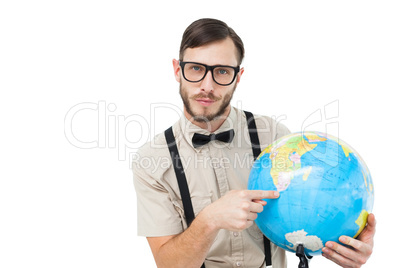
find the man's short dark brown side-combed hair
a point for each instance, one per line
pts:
(204, 31)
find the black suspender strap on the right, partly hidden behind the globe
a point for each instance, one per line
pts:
(255, 145)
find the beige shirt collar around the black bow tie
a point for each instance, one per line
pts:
(188, 129)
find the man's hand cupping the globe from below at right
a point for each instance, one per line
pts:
(359, 249)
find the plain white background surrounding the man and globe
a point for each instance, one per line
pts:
(65, 206)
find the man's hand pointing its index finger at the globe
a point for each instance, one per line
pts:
(237, 210)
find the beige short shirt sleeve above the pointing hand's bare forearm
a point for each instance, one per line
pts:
(158, 213)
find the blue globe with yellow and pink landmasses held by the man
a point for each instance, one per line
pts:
(325, 189)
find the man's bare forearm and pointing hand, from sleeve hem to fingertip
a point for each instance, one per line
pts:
(235, 211)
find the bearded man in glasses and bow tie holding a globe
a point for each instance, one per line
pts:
(222, 233)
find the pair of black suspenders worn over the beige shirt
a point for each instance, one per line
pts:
(182, 181)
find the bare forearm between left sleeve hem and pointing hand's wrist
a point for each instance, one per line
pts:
(189, 248)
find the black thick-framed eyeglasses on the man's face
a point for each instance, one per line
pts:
(194, 72)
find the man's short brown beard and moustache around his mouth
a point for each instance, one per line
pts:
(205, 117)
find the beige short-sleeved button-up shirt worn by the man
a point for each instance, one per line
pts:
(211, 170)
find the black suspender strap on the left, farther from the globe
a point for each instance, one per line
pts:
(181, 178)
